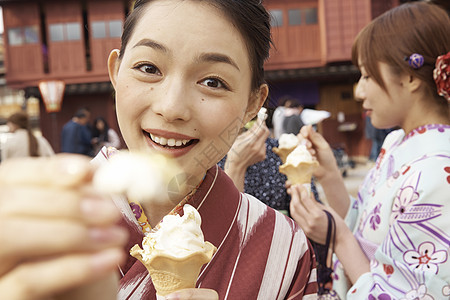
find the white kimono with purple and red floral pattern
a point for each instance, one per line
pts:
(401, 219)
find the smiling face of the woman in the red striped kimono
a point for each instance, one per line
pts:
(183, 84)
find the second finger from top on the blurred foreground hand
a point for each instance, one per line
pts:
(34, 202)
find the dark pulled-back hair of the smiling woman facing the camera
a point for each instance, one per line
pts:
(249, 16)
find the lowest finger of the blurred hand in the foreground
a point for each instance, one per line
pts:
(42, 279)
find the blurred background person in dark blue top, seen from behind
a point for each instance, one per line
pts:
(76, 135)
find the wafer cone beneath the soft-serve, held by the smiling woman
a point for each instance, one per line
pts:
(170, 273)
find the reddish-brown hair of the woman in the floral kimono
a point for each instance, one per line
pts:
(414, 27)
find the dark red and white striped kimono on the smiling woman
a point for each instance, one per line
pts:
(261, 253)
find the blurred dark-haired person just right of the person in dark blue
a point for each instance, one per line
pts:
(103, 135)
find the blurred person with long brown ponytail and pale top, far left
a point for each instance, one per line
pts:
(22, 142)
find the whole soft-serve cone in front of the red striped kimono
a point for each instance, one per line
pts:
(175, 252)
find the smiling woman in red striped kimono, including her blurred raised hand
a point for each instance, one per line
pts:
(187, 78)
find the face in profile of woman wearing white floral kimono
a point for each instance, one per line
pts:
(386, 108)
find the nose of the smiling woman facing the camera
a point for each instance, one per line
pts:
(173, 102)
